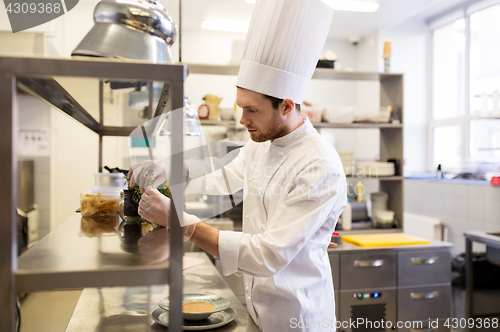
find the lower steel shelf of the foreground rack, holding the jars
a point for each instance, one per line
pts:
(67, 259)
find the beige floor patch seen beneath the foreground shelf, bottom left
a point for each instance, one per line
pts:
(48, 311)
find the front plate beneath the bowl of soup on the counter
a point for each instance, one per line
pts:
(215, 320)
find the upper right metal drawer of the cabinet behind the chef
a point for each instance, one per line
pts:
(423, 268)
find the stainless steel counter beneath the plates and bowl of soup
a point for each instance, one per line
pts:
(129, 308)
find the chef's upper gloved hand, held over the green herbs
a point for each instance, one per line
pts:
(149, 173)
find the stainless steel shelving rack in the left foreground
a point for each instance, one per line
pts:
(62, 259)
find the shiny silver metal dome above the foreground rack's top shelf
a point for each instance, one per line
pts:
(130, 29)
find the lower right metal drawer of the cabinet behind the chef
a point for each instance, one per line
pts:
(421, 303)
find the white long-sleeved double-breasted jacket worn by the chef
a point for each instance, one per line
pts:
(294, 191)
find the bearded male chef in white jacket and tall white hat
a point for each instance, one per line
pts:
(293, 180)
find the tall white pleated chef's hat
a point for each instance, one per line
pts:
(282, 47)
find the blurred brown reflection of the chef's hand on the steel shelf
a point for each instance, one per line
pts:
(155, 246)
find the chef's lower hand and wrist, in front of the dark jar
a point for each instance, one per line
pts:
(155, 207)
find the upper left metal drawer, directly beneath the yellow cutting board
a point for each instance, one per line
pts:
(367, 270)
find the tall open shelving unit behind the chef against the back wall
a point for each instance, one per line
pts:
(391, 135)
